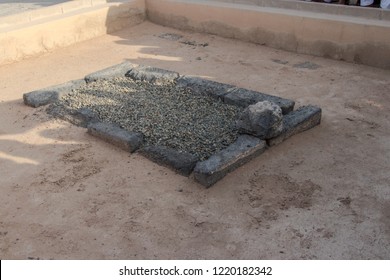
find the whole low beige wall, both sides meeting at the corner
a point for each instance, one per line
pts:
(345, 33)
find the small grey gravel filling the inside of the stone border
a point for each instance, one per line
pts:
(167, 115)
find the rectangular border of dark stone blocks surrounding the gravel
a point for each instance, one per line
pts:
(206, 172)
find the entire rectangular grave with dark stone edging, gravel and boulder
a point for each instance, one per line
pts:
(189, 124)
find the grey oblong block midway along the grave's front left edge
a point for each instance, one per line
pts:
(126, 140)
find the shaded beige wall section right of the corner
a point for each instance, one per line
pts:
(344, 36)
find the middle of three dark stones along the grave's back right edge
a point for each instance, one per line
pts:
(204, 87)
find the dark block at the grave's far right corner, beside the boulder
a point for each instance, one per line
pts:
(297, 121)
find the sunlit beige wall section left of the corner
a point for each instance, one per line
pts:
(32, 33)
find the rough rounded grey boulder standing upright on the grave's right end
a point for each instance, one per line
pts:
(263, 120)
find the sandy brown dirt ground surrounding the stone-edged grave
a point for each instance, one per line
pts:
(323, 194)
